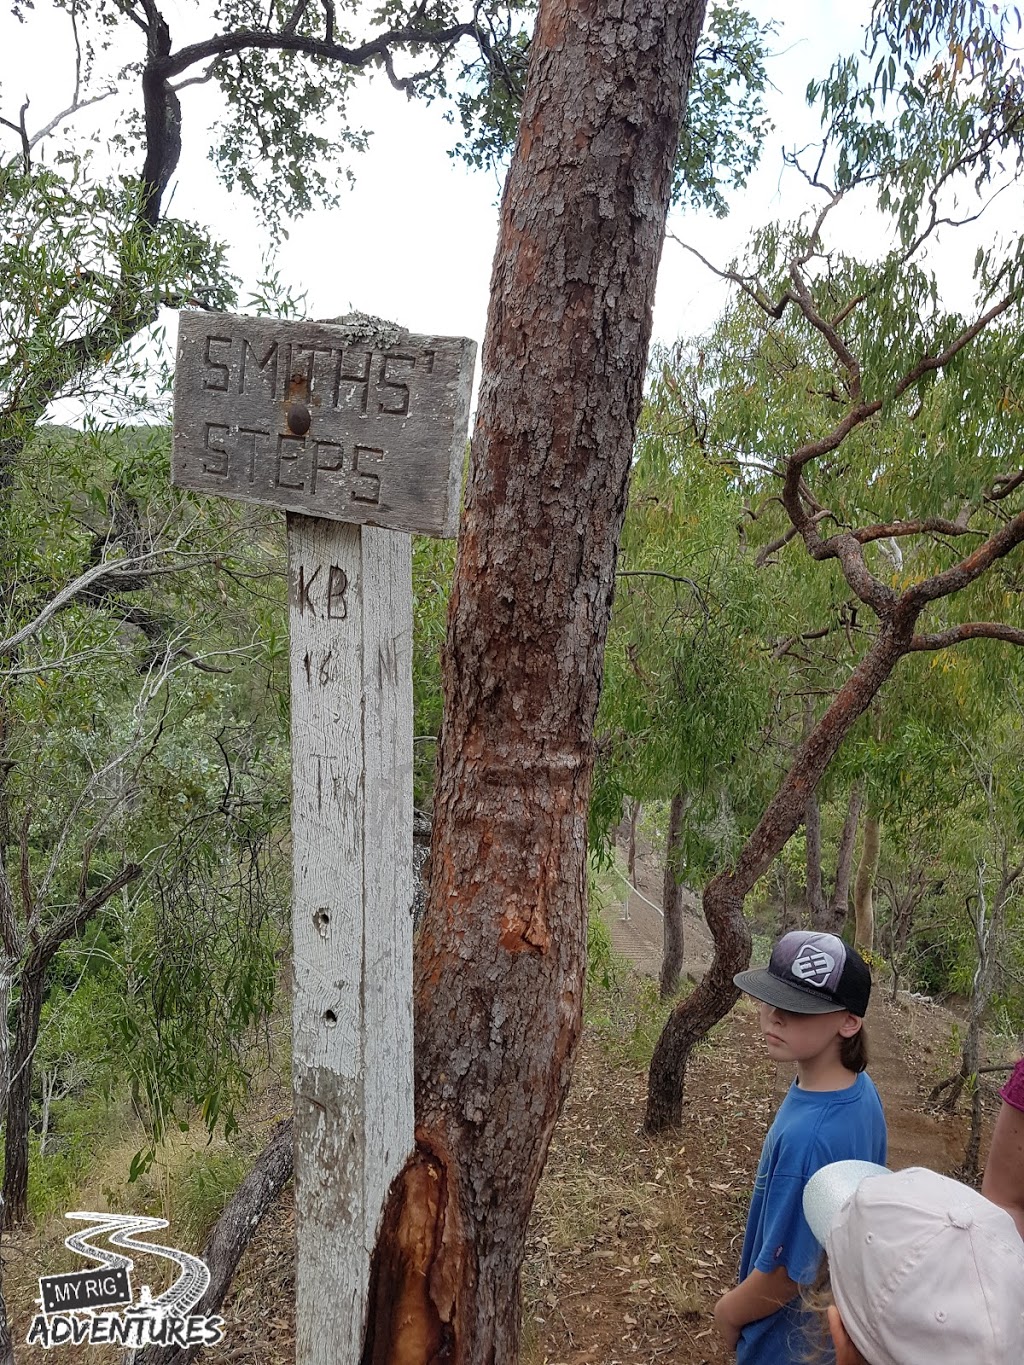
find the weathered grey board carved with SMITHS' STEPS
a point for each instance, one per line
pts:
(339, 421)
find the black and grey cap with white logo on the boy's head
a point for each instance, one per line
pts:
(812, 974)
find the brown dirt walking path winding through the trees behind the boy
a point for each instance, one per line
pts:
(907, 1041)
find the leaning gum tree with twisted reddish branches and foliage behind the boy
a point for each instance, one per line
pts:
(881, 417)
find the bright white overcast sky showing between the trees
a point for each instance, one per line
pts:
(414, 240)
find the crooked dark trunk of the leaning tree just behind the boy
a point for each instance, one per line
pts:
(724, 895)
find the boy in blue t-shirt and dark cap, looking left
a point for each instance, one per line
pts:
(814, 997)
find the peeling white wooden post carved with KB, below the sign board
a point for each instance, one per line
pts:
(352, 683)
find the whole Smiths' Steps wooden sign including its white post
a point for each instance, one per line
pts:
(358, 432)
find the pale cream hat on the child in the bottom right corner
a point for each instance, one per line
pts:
(925, 1271)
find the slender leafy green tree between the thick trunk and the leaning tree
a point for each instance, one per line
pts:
(683, 704)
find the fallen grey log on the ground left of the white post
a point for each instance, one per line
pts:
(233, 1233)
